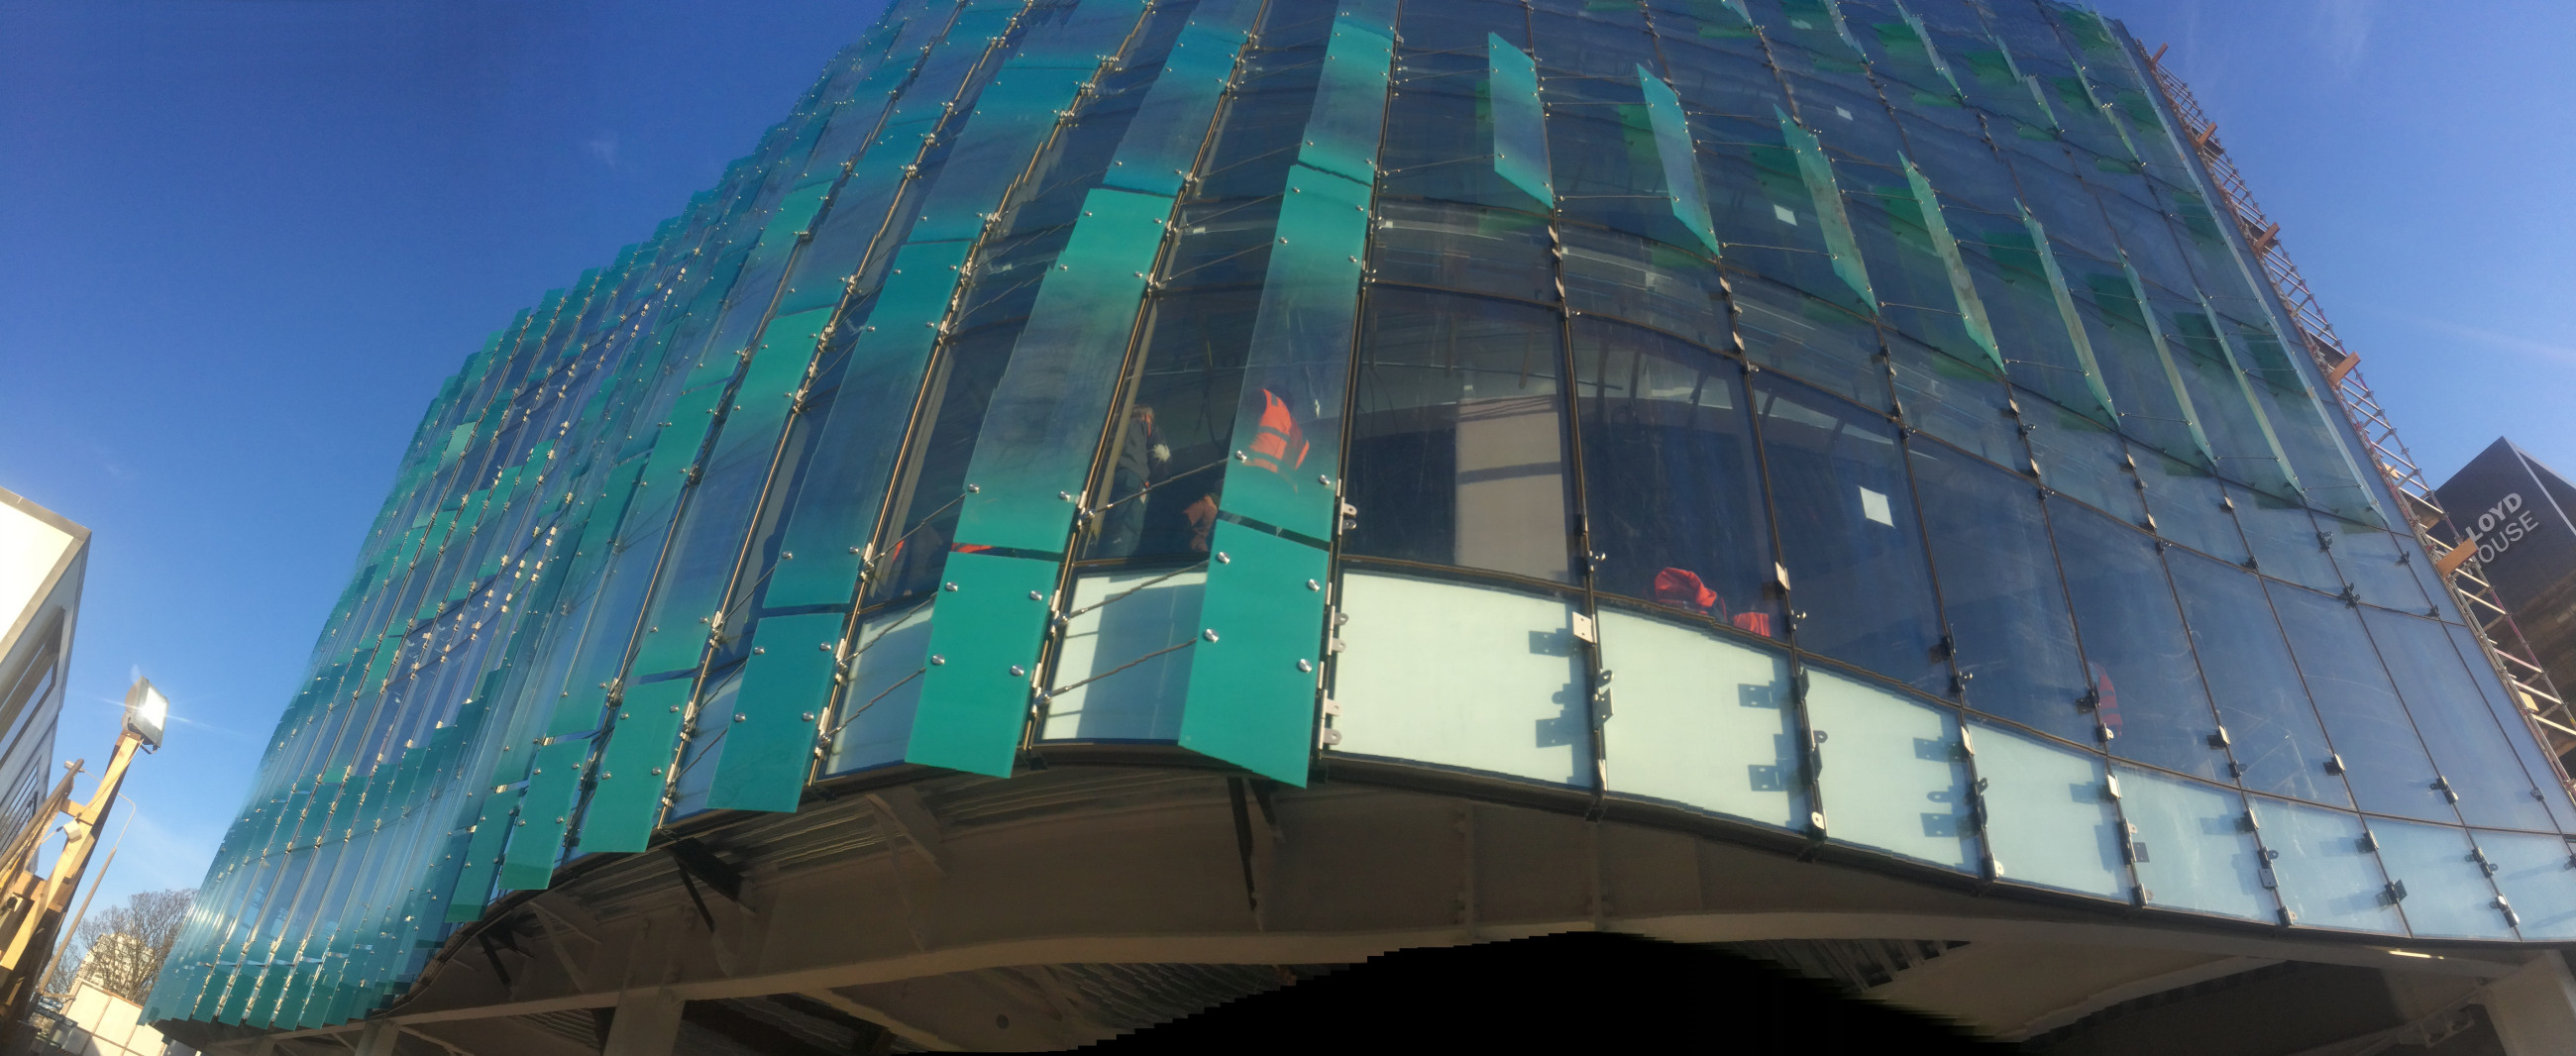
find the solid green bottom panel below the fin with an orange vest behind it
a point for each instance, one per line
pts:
(1253, 671)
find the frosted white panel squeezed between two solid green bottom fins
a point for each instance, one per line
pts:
(1142, 702)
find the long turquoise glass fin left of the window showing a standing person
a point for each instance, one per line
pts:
(1055, 398)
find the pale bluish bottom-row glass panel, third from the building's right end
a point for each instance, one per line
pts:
(2325, 869)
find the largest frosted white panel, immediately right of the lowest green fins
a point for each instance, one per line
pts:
(1462, 676)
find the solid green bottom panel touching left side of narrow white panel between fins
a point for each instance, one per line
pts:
(983, 650)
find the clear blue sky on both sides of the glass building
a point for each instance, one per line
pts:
(243, 241)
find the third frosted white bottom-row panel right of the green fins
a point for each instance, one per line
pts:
(1895, 774)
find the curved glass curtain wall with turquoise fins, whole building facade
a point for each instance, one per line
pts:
(1843, 419)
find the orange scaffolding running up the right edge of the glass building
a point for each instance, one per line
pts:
(2459, 555)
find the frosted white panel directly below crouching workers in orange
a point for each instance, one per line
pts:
(1701, 722)
